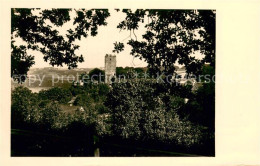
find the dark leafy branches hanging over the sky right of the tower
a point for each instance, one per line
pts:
(170, 37)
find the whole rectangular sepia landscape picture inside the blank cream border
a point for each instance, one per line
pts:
(122, 82)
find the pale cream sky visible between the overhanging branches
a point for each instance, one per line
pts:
(95, 48)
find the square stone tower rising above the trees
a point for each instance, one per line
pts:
(110, 68)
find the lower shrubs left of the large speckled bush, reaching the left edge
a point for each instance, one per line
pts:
(42, 112)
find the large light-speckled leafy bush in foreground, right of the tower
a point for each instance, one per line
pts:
(147, 110)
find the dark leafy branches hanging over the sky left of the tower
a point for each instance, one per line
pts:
(30, 26)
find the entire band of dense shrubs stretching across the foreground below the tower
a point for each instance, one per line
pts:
(140, 110)
